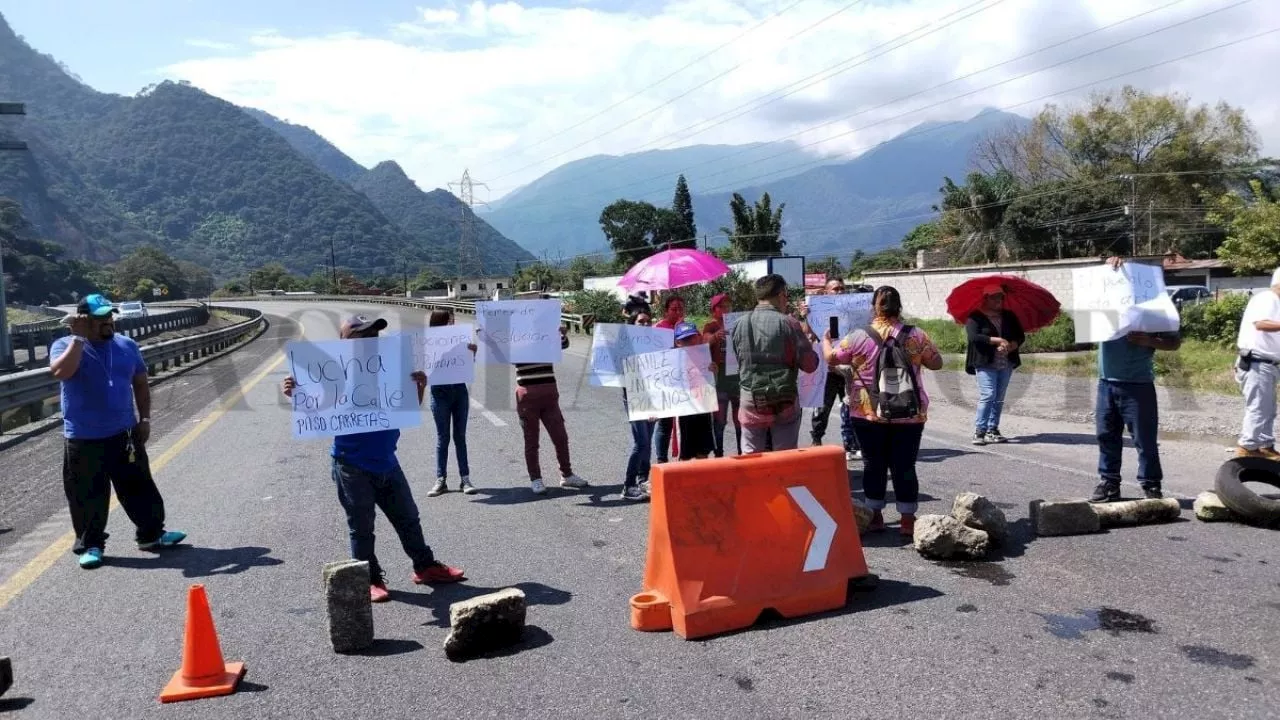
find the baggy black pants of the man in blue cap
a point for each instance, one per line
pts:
(90, 468)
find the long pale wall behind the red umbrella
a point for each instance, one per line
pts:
(925, 291)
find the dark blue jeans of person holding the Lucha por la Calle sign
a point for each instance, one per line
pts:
(362, 494)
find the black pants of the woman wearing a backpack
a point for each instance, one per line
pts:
(890, 449)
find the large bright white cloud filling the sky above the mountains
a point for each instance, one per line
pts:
(484, 86)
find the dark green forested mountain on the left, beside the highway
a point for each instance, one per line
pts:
(214, 184)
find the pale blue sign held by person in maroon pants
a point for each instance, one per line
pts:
(519, 331)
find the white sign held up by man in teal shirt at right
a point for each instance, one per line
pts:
(1113, 303)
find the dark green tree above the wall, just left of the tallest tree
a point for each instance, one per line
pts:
(972, 216)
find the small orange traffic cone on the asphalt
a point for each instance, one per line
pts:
(203, 675)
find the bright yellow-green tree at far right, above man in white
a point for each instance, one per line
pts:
(1252, 241)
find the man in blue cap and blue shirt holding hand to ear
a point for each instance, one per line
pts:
(103, 379)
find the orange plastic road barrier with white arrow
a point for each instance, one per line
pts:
(733, 537)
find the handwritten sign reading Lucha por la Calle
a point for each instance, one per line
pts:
(353, 386)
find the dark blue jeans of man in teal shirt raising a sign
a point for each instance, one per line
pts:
(1135, 407)
